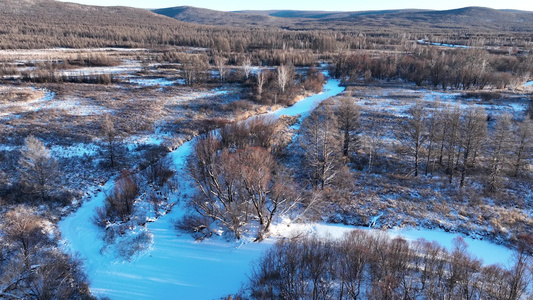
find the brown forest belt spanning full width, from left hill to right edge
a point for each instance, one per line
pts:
(36, 25)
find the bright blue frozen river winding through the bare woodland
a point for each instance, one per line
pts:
(177, 267)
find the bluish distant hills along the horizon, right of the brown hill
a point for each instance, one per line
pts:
(477, 18)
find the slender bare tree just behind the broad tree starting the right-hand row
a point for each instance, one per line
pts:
(348, 114)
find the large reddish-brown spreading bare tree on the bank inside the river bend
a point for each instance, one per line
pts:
(235, 188)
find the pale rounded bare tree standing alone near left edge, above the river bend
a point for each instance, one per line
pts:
(38, 168)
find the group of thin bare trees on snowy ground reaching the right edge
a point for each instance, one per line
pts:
(460, 140)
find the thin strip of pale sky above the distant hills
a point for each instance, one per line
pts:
(329, 5)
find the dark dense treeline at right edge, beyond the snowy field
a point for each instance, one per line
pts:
(455, 69)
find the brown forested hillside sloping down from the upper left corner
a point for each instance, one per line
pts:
(48, 23)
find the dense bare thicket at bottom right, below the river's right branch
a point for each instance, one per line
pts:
(370, 265)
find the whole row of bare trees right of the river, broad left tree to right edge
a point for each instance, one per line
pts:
(432, 139)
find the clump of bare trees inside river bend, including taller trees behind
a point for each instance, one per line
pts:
(239, 184)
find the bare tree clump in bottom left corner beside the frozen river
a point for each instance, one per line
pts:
(31, 265)
